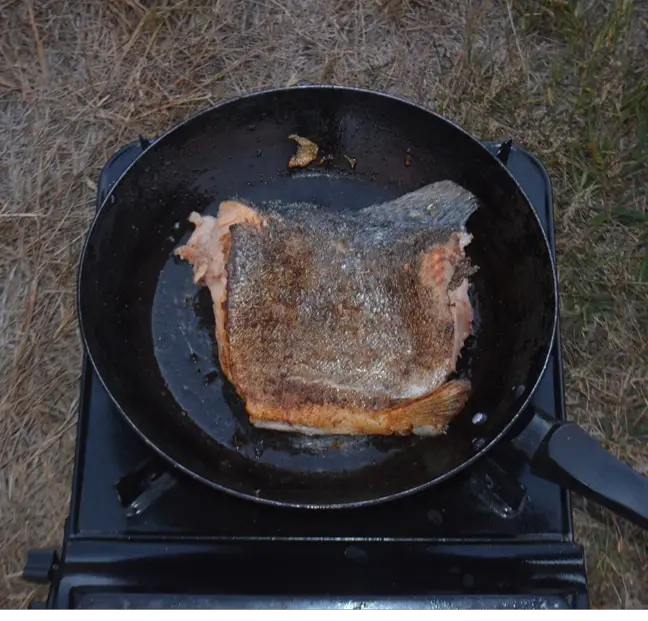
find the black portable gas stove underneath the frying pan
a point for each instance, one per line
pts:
(140, 536)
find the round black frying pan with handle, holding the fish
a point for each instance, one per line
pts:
(149, 332)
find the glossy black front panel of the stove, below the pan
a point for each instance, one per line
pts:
(297, 575)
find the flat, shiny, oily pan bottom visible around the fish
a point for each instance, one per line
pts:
(186, 349)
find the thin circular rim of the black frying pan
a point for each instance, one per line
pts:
(175, 465)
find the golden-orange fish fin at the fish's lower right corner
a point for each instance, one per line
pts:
(431, 414)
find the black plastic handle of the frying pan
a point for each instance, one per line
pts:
(565, 454)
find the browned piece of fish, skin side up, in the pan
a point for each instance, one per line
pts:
(345, 322)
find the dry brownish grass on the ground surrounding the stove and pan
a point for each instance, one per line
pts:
(78, 78)
